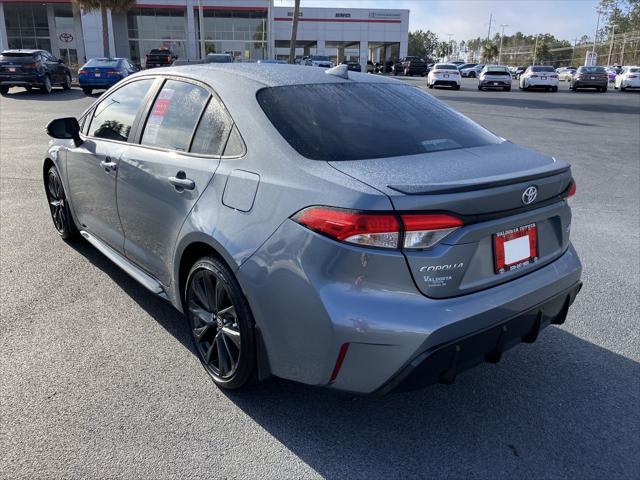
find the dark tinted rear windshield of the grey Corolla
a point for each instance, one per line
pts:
(354, 121)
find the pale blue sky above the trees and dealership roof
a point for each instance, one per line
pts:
(566, 19)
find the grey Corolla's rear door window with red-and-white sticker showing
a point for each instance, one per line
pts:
(174, 115)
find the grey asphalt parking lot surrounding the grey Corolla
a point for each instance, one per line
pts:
(98, 377)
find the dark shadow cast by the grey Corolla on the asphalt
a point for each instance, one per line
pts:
(561, 407)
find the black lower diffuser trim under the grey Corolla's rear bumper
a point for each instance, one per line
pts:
(442, 363)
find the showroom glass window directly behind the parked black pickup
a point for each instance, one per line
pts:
(151, 28)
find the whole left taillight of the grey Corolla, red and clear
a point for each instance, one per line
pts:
(382, 230)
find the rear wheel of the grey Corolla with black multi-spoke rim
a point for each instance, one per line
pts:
(225, 342)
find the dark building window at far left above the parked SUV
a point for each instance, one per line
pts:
(27, 25)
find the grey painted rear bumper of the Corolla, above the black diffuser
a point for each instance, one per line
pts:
(310, 295)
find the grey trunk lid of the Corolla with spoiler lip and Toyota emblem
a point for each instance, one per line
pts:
(485, 187)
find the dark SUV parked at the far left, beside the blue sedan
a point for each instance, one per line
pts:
(32, 68)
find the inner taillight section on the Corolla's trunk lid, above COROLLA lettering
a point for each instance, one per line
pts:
(424, 231)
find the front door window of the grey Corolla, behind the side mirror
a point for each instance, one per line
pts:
(114, 116)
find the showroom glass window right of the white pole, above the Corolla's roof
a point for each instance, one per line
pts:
(242, 33)
